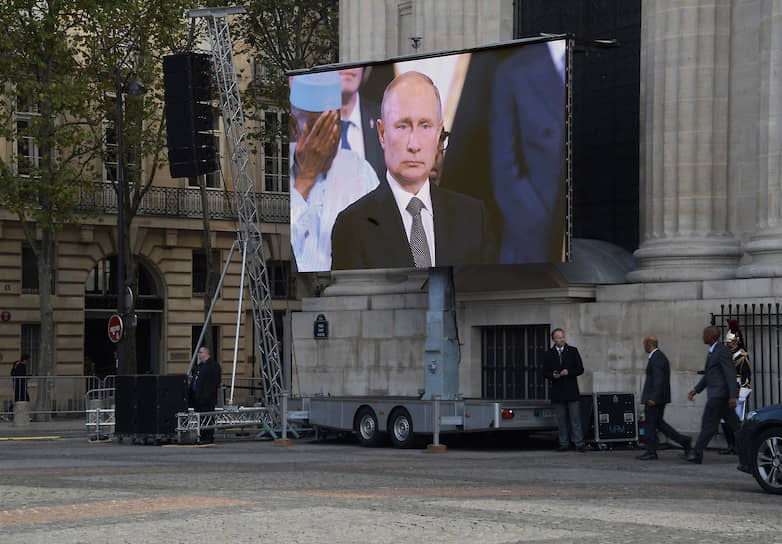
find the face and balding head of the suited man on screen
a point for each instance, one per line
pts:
(409, 132)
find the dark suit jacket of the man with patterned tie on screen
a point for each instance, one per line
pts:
(370, 234)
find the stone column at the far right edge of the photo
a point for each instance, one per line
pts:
(765, 246)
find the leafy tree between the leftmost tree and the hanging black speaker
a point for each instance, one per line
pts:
(128, 39)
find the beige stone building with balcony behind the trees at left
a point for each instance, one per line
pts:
(167, 241)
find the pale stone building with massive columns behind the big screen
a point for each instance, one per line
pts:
(710, 216)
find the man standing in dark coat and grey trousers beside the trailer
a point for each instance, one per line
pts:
(563, 366)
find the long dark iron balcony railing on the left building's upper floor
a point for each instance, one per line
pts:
(175, 202)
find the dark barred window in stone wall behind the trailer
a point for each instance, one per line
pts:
(512, 362)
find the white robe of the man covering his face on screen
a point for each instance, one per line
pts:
(349, 178)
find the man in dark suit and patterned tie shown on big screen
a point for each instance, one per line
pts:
(408, 221)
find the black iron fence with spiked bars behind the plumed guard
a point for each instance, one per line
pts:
(761, 327)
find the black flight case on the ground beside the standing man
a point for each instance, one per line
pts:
(609, 417)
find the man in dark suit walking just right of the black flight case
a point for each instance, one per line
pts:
(656, 394)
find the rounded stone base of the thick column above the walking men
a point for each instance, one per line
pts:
(686, 259)
